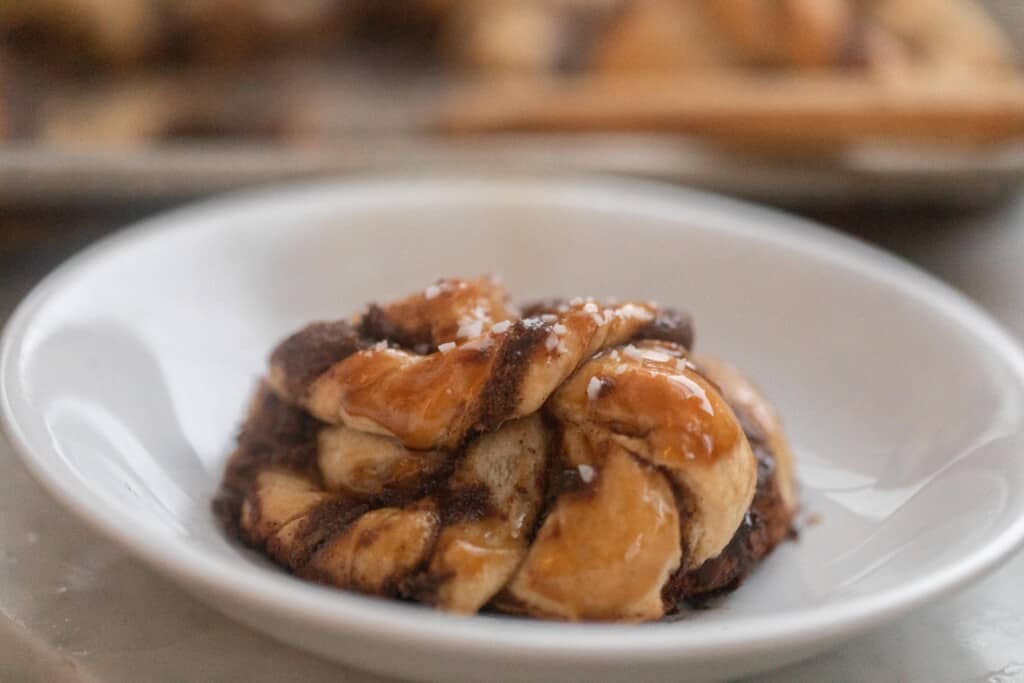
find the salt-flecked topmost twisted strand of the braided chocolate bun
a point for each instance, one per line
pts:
(472, 386)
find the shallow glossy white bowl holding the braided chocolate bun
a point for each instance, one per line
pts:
(125, 373)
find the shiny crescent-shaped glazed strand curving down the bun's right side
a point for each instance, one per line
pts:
(649, 400)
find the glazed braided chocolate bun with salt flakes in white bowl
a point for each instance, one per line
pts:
(572, 461)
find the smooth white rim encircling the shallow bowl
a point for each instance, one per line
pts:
(280, 594)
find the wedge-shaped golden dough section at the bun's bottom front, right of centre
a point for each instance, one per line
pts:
(604, 552)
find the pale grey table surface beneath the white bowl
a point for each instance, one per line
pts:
(76, 608)
